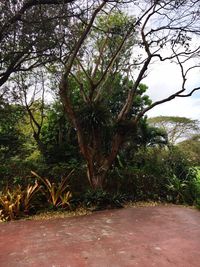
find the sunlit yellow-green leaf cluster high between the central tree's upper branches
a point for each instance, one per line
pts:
(115, 25)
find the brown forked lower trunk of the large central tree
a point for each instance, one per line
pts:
(98, 164)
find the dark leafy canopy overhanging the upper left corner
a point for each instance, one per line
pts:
(34, 38)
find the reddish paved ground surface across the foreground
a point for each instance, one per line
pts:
(147, 236)
